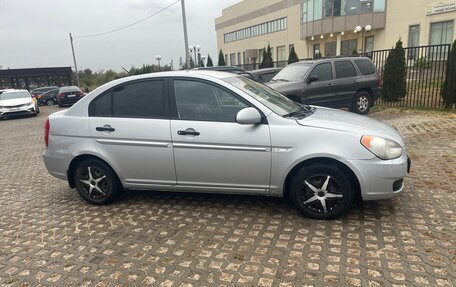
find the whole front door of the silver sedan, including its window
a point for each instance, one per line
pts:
(210, 148)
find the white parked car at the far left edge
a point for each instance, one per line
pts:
(17, 103)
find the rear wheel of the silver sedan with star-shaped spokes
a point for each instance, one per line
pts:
(102, 187)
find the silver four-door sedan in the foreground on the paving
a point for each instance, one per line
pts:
(209, 131)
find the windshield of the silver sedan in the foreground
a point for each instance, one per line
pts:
(269, 97)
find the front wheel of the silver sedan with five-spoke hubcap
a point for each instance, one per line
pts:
(310, 202)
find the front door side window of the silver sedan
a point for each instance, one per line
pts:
(199, 101)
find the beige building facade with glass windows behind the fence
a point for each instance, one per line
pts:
(330, 27)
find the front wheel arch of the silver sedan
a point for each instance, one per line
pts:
(323, 160)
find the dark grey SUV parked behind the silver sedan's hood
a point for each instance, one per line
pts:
(351, 82)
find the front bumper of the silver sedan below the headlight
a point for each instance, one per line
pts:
(381, 179)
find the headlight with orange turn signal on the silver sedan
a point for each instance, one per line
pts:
(381, 147)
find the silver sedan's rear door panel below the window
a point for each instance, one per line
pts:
(139, 149)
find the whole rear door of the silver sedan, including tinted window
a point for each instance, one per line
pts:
(131, 127)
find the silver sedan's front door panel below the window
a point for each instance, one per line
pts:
(224, 154)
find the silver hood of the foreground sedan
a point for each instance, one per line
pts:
(327, 118)
